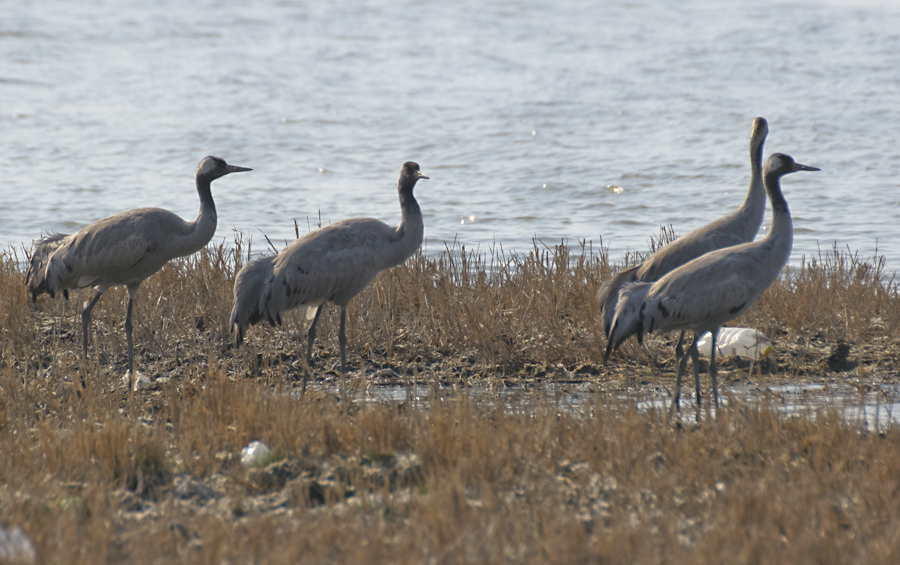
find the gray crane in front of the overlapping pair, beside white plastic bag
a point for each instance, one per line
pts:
(719, 286)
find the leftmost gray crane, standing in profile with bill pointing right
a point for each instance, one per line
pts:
(124, 249)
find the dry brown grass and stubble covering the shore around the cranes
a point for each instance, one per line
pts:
(95, 476)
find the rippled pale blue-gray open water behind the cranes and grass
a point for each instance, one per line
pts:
(522, 112)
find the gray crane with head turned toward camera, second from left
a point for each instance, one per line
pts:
(331, 264)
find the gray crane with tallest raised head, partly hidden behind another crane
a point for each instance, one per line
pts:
(740, 226)
